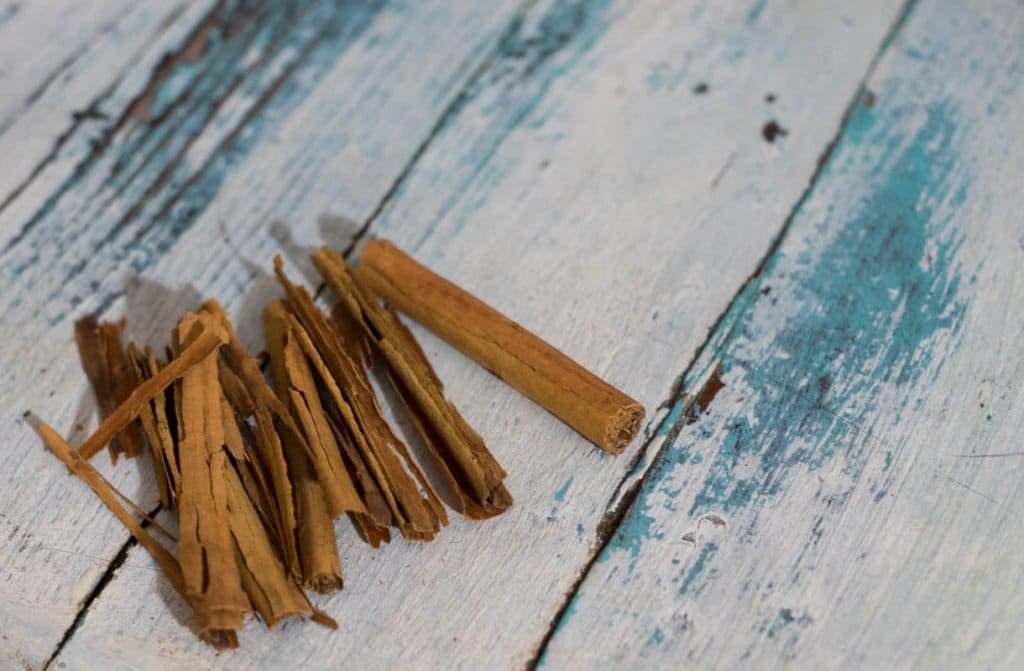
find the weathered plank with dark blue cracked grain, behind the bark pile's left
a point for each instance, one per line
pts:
(295, 112)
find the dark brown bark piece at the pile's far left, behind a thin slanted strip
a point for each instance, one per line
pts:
(111, 375)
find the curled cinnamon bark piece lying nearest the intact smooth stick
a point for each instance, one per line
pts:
(460, 451)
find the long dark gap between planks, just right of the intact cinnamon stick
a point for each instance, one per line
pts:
(623, 499)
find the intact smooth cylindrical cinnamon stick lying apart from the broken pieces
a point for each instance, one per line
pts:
(603, 414)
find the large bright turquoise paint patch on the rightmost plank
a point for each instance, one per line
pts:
(875, 296)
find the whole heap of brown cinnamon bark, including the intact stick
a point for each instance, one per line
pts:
(260, 456)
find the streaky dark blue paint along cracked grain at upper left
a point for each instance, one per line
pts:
(141, 191)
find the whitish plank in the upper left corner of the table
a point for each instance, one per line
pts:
(67, 74)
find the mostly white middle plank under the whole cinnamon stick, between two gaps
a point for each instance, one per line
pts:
(584, 133)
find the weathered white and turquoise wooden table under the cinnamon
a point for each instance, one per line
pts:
(823, 198)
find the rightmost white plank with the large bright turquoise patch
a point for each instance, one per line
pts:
(849, 500)
